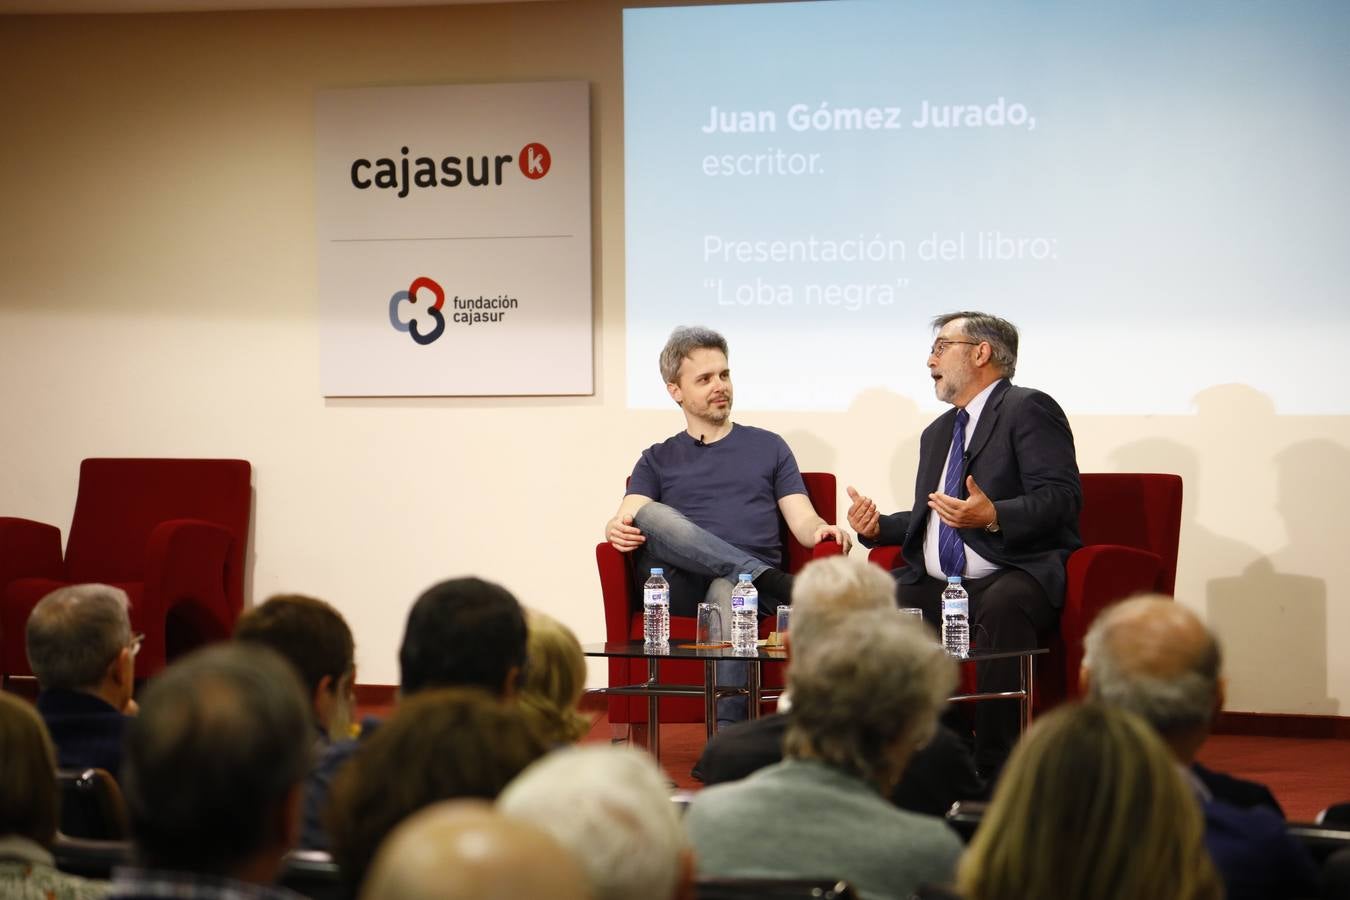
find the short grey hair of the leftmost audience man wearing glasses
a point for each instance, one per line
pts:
(75, 634)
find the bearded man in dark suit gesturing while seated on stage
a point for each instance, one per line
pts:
(997, 501)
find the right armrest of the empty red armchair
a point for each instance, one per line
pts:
(187, 558)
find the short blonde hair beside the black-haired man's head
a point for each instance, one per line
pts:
(554, 681)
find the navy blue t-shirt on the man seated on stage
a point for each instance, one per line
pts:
(730, 488)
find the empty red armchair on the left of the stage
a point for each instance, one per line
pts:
(171, 532)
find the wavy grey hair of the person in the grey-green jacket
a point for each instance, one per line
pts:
(875, 679)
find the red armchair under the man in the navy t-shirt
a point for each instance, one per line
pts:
(624, 620)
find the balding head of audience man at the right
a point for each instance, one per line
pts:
(1159, 660)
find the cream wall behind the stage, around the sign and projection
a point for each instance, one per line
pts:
(159, 298)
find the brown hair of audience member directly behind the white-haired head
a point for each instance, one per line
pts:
(439, 746)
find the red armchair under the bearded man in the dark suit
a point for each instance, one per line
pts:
(1131, 527)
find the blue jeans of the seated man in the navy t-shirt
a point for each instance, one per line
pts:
(674, 540)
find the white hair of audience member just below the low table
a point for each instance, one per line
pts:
(830, 590)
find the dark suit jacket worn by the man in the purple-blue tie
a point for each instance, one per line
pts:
(1023, 458)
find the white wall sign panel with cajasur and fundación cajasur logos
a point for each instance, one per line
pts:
(454, 241)
